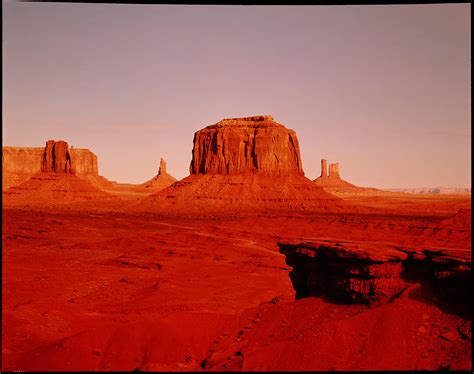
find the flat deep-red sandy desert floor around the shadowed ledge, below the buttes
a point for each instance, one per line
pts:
(92, 287)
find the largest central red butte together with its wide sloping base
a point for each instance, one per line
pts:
(241, 164)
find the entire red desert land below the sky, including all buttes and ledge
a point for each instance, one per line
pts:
(245, 264)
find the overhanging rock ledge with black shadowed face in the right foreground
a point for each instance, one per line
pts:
(374, 273)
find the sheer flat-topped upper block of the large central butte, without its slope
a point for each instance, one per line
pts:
(243, 146)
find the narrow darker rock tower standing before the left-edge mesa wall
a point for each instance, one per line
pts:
(56, 158)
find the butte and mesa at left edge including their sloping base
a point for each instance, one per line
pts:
(52, 175)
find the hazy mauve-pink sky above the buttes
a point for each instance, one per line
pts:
(384, 90)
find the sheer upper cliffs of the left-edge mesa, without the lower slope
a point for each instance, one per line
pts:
(21, 163)
